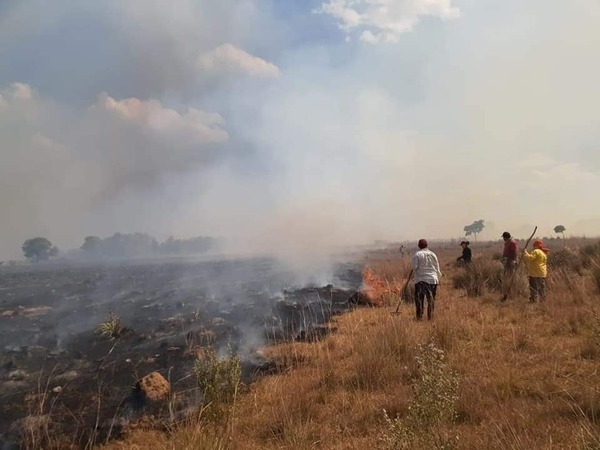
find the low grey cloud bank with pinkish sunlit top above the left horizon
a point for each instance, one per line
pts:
(59, 165)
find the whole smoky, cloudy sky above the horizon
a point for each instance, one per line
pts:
(296, 127)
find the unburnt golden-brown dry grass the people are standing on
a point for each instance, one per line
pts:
(527, 373)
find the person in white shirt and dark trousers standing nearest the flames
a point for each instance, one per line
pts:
(427, 276)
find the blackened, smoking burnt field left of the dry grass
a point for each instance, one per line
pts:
(61, 376)
